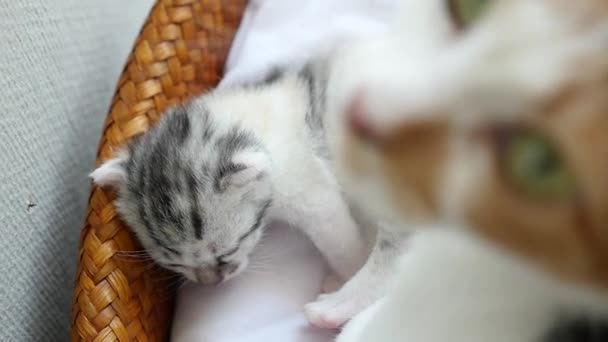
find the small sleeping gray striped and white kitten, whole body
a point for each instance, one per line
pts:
(200, 186)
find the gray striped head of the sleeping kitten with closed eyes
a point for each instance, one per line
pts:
(195, 194)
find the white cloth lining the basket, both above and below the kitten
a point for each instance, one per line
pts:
(265, 303)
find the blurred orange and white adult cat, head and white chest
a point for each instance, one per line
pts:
(488, 116)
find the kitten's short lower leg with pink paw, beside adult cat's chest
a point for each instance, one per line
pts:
(364, 288)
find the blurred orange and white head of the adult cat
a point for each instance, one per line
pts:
(497, 120)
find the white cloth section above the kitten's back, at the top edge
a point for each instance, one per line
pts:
(288, 33)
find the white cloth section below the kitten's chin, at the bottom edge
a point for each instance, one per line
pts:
(262, 305)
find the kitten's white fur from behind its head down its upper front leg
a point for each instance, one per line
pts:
(306, 194)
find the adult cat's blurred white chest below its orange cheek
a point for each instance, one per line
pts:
(452, 287)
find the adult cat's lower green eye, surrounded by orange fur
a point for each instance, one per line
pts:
(534, 165)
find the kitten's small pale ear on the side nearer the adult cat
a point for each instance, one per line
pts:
(244, 168)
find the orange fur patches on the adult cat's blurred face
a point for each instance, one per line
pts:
(569, 237)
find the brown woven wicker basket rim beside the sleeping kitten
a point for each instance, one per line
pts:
(179, 53)
